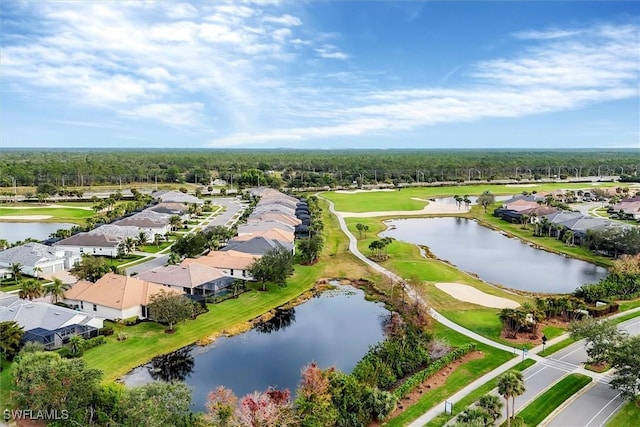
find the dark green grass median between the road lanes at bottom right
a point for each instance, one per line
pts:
(539, 409)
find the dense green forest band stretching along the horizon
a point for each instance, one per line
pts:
(302, 168)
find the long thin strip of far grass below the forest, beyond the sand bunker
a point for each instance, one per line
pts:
(376, 201)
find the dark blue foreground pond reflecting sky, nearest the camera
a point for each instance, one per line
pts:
(334, 329)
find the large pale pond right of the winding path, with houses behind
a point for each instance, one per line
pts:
(494, 257)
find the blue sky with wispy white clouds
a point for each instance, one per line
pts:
(320, 74)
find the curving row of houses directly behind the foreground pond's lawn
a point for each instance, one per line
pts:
(271, 225)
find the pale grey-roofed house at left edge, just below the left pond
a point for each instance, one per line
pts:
(36, 255)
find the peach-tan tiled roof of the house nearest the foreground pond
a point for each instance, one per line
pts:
(115, 291)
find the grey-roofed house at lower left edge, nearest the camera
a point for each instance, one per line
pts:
(49, 324)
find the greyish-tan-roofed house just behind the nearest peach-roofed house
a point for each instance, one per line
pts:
(192, 279)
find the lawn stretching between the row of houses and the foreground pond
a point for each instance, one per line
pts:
(148, 339)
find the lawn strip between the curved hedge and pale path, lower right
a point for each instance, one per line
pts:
(460, 378)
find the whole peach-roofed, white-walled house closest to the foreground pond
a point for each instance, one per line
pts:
(114, 296)
